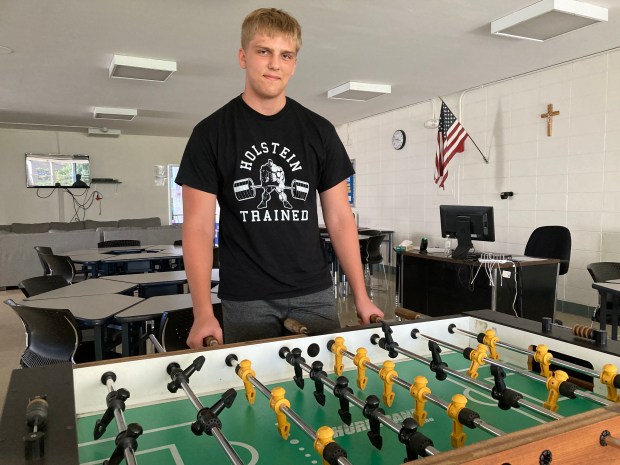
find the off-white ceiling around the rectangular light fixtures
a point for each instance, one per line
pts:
(58, 71)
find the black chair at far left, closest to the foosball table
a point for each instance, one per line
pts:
(52, 336)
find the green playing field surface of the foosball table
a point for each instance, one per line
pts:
(168, 440)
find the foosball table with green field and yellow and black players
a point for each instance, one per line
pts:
(476, 388)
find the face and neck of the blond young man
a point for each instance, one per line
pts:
(269, 63)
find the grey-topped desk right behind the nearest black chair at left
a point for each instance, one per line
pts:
(93, 310)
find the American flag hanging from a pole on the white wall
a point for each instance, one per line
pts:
(450, 141)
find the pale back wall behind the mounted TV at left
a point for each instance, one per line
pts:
(130, 159)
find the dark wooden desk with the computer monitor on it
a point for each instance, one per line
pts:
(436, 285)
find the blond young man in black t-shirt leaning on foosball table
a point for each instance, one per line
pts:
(263, 157)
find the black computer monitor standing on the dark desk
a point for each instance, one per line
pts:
(466, 222)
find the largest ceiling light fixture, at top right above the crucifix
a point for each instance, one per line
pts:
(547, 19)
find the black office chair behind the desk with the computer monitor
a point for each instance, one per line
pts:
(550, 242)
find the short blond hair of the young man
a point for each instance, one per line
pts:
(271, 22)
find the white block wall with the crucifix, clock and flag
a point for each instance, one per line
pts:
(570, 179)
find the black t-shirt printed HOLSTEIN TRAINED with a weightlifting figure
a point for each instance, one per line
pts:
(265, 171)
